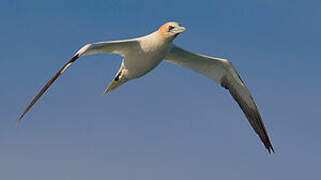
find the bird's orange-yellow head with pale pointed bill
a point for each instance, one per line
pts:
(170, 30)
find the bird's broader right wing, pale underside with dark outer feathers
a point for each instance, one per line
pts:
(221, 71)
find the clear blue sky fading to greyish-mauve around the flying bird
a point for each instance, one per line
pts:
(171, 123)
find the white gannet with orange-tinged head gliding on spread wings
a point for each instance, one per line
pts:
(143, 54)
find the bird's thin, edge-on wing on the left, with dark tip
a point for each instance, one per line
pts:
(116, 47)
